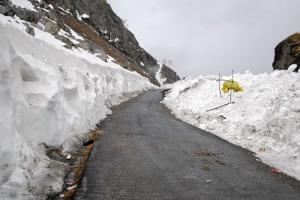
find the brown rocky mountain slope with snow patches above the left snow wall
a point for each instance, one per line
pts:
(103, 32)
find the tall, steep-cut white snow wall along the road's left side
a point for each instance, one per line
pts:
(49, 95)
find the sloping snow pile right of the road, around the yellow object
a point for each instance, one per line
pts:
(264, 119)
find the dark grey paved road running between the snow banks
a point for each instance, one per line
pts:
(145, 153)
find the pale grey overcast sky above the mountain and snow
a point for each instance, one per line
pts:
(208, 37)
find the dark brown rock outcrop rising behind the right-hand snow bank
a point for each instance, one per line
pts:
(287, 53)
